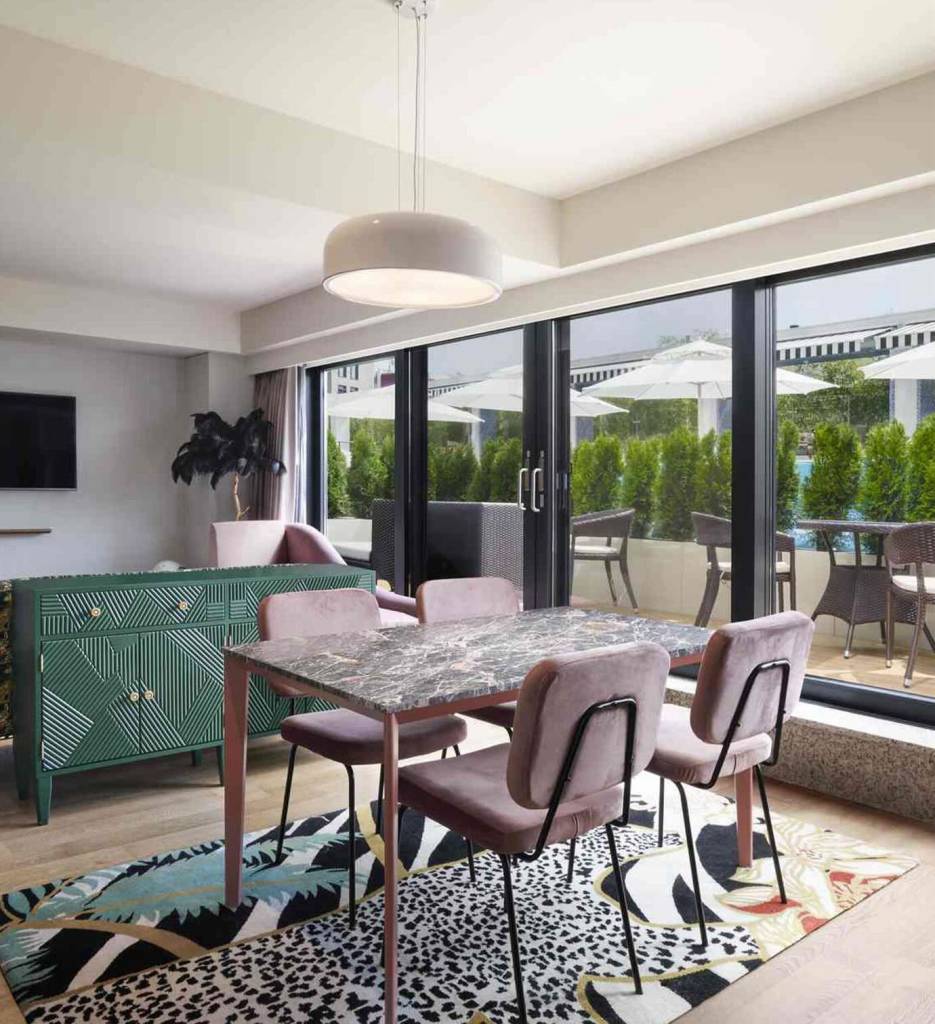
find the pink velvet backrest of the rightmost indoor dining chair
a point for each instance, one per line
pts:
(732, 656)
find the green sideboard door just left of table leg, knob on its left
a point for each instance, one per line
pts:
(182, 688)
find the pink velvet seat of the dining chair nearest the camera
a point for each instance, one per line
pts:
(470, 796)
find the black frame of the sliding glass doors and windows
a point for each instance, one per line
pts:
(753, 424)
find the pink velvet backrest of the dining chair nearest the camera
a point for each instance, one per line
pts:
(558, 693)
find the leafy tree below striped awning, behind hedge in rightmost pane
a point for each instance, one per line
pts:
(855, 400)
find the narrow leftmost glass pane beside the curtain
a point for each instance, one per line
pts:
(360, 411)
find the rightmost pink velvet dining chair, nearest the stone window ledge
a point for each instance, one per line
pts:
(749, 684)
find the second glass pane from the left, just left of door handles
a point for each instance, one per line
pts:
(475, 526)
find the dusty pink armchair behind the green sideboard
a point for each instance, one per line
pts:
(270, 542)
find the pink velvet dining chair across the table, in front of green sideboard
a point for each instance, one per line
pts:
(344, 736)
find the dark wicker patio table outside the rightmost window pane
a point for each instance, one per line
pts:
(857, 593)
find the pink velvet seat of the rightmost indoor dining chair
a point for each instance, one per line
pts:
(681, 756)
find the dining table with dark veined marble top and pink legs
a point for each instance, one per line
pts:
(404, 674)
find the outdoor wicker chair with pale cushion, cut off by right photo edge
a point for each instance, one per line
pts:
(908, 551)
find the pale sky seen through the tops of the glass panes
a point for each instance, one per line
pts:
(898, 289)
